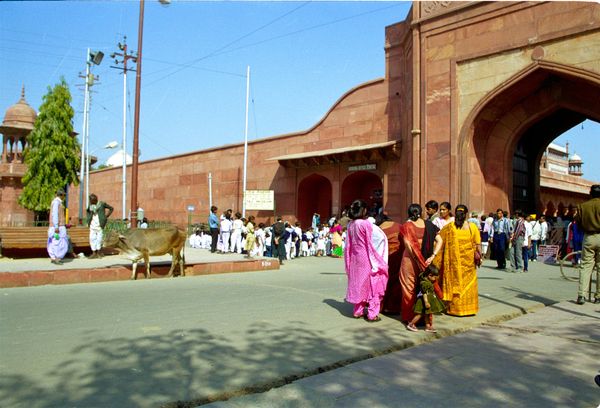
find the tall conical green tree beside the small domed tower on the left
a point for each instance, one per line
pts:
(52, 152)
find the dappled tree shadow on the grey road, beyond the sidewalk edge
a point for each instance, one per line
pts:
(194, 365)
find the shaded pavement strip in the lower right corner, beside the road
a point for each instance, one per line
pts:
(548, 358)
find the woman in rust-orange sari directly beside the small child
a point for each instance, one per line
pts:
(420, 244)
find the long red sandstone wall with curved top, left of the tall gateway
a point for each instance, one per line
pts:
(167, 186)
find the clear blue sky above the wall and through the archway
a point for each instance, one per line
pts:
(303, 56)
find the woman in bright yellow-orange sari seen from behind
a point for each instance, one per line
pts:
(458, 272)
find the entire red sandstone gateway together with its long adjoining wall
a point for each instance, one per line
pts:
(473, 94)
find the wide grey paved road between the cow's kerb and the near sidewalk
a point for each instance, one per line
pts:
(146, 343)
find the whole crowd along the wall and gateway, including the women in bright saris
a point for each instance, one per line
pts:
(422, 266)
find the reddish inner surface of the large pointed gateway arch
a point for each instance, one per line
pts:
(506, 134)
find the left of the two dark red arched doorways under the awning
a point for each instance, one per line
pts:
(314, 196)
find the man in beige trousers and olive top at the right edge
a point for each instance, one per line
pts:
(588, 217)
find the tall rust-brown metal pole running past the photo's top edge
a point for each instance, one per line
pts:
(136, 119)
